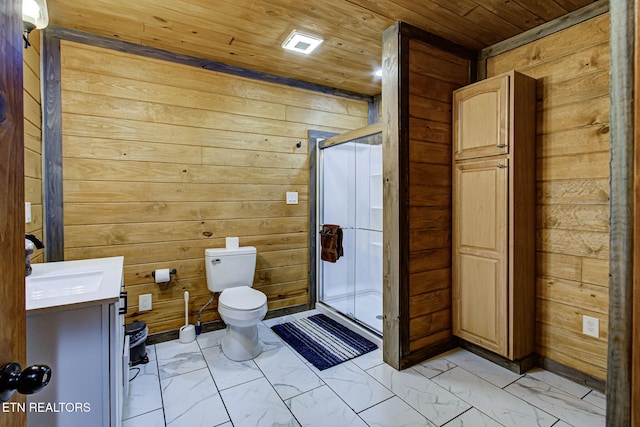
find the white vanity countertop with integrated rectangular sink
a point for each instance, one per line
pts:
(66, 284)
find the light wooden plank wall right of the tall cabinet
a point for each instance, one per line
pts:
(572, 68)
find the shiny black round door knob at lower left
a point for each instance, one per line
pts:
(31, 380)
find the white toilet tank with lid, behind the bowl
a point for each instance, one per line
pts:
(229, 268)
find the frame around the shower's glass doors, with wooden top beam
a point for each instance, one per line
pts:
(318, 141)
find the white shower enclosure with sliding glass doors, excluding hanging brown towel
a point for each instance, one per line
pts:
(349, 194)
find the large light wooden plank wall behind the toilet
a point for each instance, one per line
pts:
(163, 160)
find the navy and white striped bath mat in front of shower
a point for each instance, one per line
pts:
(323, 341)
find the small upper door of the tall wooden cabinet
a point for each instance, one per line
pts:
(481, 117)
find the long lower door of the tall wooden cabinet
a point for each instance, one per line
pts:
(480, 291)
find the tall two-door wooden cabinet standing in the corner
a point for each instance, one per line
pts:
(494, 214)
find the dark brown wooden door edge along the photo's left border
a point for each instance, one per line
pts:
(12, 315)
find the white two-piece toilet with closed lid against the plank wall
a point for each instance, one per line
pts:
(230, 271)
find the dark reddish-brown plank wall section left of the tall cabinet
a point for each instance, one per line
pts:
(433, 75)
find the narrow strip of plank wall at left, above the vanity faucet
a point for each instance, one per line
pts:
(33, 140)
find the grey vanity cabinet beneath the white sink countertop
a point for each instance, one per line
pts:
(84, 344)
